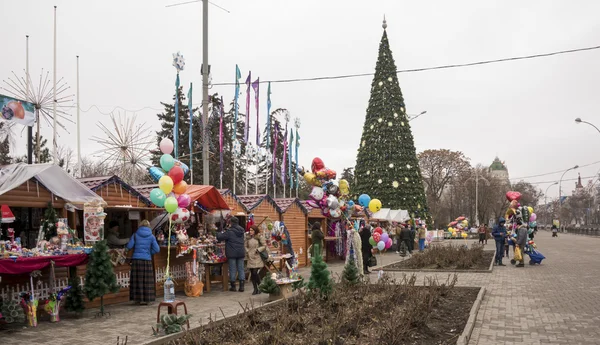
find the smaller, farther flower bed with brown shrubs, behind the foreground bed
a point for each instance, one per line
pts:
(450, 258)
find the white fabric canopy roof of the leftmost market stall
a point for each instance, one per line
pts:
(53, 177)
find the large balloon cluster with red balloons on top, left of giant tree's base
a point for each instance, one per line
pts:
(332, 197)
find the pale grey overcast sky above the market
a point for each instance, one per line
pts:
(522, 111)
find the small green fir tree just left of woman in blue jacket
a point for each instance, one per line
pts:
(100, 278)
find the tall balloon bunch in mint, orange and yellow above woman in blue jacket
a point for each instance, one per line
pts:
(170, 193)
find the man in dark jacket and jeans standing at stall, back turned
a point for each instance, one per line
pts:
(235, 252)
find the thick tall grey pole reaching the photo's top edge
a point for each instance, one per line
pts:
(205, 167)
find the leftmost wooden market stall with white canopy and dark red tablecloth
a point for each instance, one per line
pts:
(34, 186)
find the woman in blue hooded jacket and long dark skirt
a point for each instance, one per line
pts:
(142, 284)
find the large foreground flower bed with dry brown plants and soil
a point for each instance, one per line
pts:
(388, 312)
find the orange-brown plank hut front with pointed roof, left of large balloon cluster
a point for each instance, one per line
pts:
(295, 217)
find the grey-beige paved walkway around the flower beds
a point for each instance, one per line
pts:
(555, 303)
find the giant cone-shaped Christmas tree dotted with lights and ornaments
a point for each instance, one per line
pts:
(386, 166)
